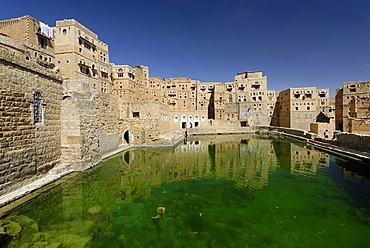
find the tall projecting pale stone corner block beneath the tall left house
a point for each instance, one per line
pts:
(80, 130)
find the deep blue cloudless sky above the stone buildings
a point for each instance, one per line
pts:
(296, 43)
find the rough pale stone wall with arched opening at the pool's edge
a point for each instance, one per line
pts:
(95, 124)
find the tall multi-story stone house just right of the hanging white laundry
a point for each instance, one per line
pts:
(81, 55)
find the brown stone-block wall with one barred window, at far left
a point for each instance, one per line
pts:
(27, 149)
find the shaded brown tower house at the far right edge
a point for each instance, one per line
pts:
(352, 93)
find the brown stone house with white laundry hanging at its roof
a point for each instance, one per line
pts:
(37, 36)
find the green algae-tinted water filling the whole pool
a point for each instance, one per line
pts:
(217, 191)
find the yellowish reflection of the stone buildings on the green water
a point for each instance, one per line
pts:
(91, 198)
